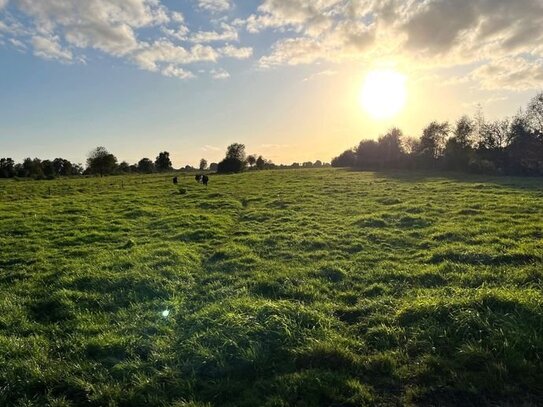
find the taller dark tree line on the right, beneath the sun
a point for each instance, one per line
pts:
(512, 146)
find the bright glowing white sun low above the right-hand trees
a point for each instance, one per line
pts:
(383, 94)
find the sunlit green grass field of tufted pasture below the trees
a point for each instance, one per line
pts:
(284, 288)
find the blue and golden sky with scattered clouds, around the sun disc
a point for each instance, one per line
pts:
(283, 77)
